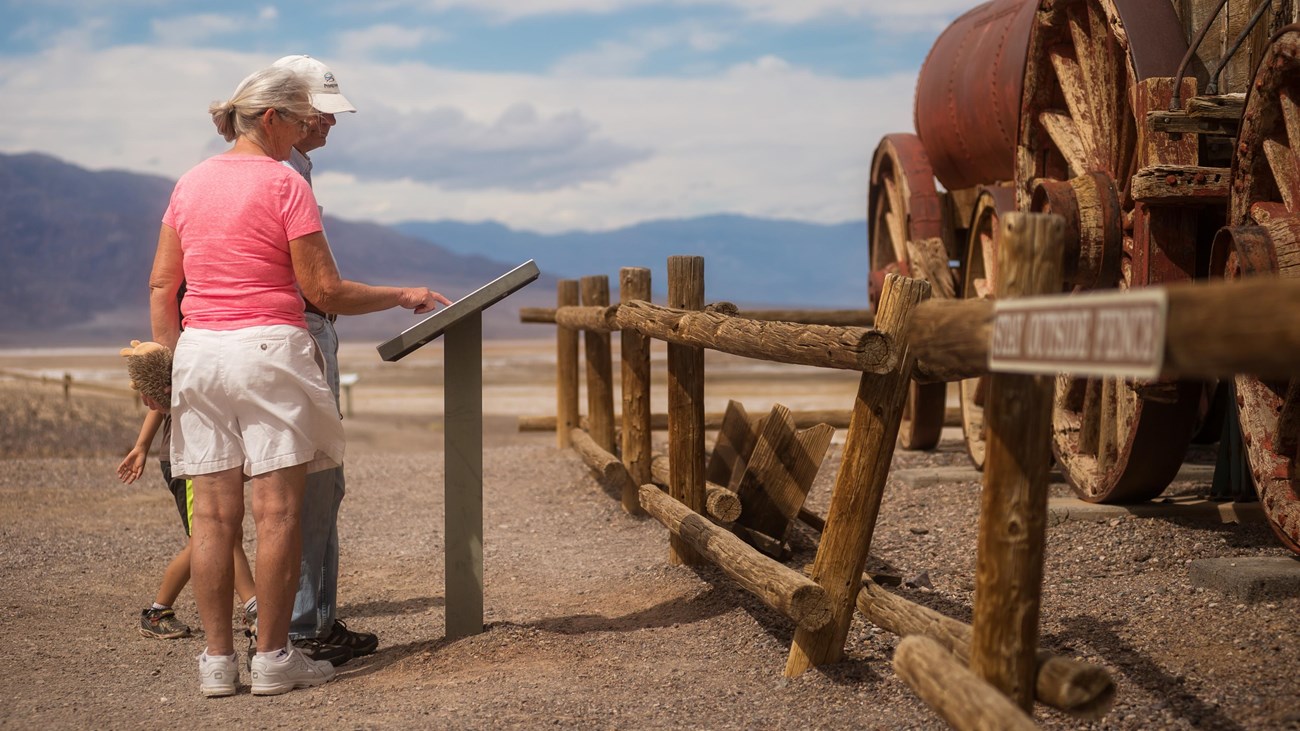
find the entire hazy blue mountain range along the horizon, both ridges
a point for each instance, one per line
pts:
(76, 249)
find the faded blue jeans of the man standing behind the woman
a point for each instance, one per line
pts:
(318, 583)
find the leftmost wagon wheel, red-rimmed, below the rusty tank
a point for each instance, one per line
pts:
(905, 222)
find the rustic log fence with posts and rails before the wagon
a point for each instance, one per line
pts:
(995, 661)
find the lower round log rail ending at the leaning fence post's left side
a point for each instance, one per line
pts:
(781, 587)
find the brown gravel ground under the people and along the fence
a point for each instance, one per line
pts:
(588, 626)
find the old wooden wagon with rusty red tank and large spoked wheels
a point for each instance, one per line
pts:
(1167, 133)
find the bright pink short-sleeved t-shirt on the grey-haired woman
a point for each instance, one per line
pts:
(236, 217)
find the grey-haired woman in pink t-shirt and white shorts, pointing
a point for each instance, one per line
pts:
(249, 397)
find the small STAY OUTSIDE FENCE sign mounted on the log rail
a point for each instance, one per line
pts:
(1089, 335)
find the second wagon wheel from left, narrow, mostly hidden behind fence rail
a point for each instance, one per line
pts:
(981, 283)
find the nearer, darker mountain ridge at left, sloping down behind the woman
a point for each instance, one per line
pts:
(77, 246)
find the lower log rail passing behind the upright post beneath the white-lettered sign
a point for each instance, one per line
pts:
(1078, 689)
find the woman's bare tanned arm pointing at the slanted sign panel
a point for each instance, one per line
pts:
(322, 284)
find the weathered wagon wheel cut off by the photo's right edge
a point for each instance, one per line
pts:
(1266, 240)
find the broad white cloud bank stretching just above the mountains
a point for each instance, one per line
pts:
(535, 152)
